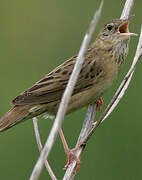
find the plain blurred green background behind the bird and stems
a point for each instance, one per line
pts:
(35, 37)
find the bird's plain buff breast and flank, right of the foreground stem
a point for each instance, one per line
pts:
(100, 84)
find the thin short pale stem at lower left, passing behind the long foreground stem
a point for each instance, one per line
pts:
(38, 140)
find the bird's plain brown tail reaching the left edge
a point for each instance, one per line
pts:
(14, 116)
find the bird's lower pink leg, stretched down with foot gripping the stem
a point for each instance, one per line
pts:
(69, 152)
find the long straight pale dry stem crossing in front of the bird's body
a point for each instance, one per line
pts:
(66, 97)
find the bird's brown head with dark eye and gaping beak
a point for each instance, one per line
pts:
(115, 31)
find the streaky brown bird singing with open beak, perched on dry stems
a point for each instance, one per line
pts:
(103, 62)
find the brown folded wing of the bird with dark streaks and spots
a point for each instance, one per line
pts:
(52, 86)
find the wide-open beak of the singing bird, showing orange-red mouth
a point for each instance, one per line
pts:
(124, 28)
